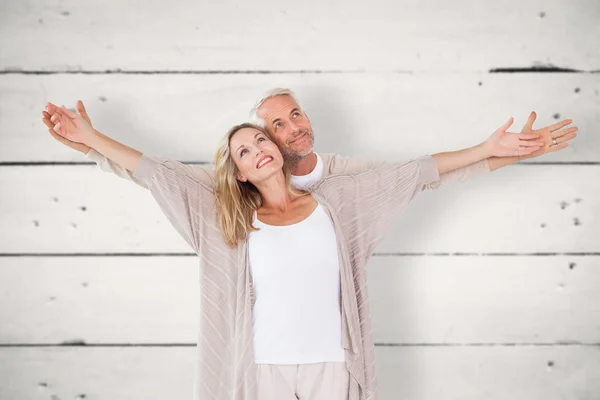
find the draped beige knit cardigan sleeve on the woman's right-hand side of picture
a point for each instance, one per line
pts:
(366, 203)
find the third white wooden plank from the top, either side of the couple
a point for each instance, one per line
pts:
(80, 209)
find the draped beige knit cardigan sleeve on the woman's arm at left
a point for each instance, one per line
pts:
(183, 193)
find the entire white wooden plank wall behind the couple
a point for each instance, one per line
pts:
(485, 290)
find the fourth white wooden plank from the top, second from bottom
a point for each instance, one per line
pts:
(413, 300)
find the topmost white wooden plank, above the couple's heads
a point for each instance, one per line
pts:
(275, 36)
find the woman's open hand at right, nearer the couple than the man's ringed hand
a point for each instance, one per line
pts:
(505, 144)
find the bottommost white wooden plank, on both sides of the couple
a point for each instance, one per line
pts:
(413, 373)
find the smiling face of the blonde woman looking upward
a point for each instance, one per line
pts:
(255, 155)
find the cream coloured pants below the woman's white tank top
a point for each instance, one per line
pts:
(317, 381)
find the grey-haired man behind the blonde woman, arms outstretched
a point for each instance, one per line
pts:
(279, 112)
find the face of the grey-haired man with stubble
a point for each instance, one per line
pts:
(289, 127)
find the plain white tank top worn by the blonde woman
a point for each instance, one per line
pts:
(296, 277)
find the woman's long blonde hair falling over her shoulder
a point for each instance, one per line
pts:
(236, 201)
